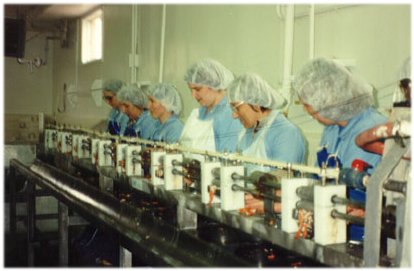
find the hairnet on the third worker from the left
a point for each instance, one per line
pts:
(167, 95)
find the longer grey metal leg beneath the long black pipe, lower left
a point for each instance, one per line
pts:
(63, 224)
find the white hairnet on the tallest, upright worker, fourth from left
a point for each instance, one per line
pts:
(210, 73)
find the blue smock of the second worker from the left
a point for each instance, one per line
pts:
(143, 127)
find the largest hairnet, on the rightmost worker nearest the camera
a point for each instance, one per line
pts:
(332, 90)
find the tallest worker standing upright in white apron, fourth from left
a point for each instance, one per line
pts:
(210, 127)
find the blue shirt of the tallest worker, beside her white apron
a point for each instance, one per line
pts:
(226, 128)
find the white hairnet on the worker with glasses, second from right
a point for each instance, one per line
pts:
(252, 89)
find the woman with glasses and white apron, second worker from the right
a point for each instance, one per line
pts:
(268, 134)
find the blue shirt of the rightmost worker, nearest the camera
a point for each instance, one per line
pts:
(342, 139)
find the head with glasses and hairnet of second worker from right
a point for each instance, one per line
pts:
(251, 97)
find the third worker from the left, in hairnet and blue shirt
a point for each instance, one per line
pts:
(164, 104)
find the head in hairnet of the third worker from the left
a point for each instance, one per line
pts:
(163, 97)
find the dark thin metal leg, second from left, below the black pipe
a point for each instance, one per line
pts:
(31, 221)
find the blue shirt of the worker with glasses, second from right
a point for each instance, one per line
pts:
(282, 141)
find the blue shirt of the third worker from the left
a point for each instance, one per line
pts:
(169, 131)
